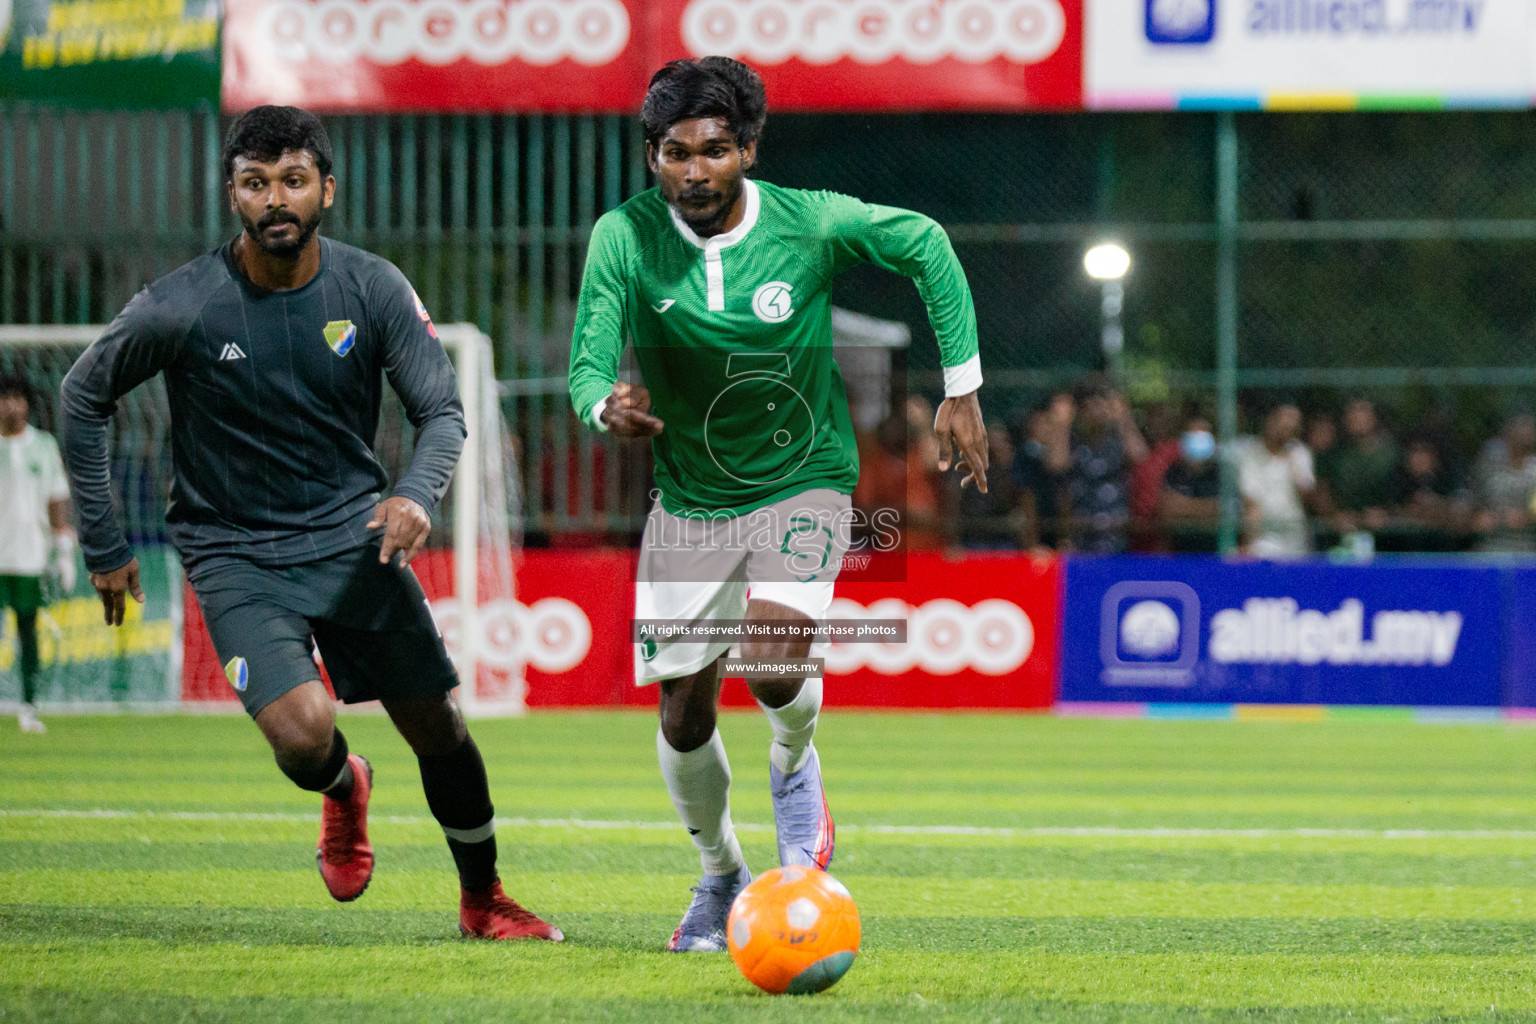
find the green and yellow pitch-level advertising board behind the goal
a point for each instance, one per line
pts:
(85, 661)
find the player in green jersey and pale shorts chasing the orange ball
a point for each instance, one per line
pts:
(724, 285)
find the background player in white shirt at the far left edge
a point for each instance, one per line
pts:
(36, 538)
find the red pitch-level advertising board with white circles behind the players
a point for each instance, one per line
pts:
(982, 633)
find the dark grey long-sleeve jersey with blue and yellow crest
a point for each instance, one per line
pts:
(274, 408)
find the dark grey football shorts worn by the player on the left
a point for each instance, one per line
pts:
(371, 624)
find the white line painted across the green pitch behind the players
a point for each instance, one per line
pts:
(750, 827)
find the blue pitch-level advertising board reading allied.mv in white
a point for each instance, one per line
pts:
(1211, 632)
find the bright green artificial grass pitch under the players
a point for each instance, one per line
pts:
(1007, 868)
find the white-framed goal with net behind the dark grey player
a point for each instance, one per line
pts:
(162, 655)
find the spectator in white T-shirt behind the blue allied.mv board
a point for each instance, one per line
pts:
(1276, 478)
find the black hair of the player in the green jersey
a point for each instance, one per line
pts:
(709, 87)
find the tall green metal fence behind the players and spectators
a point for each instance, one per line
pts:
(1309, 254)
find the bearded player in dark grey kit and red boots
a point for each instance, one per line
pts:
(274, 351)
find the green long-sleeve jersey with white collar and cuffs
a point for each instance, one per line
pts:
(735, 343)
